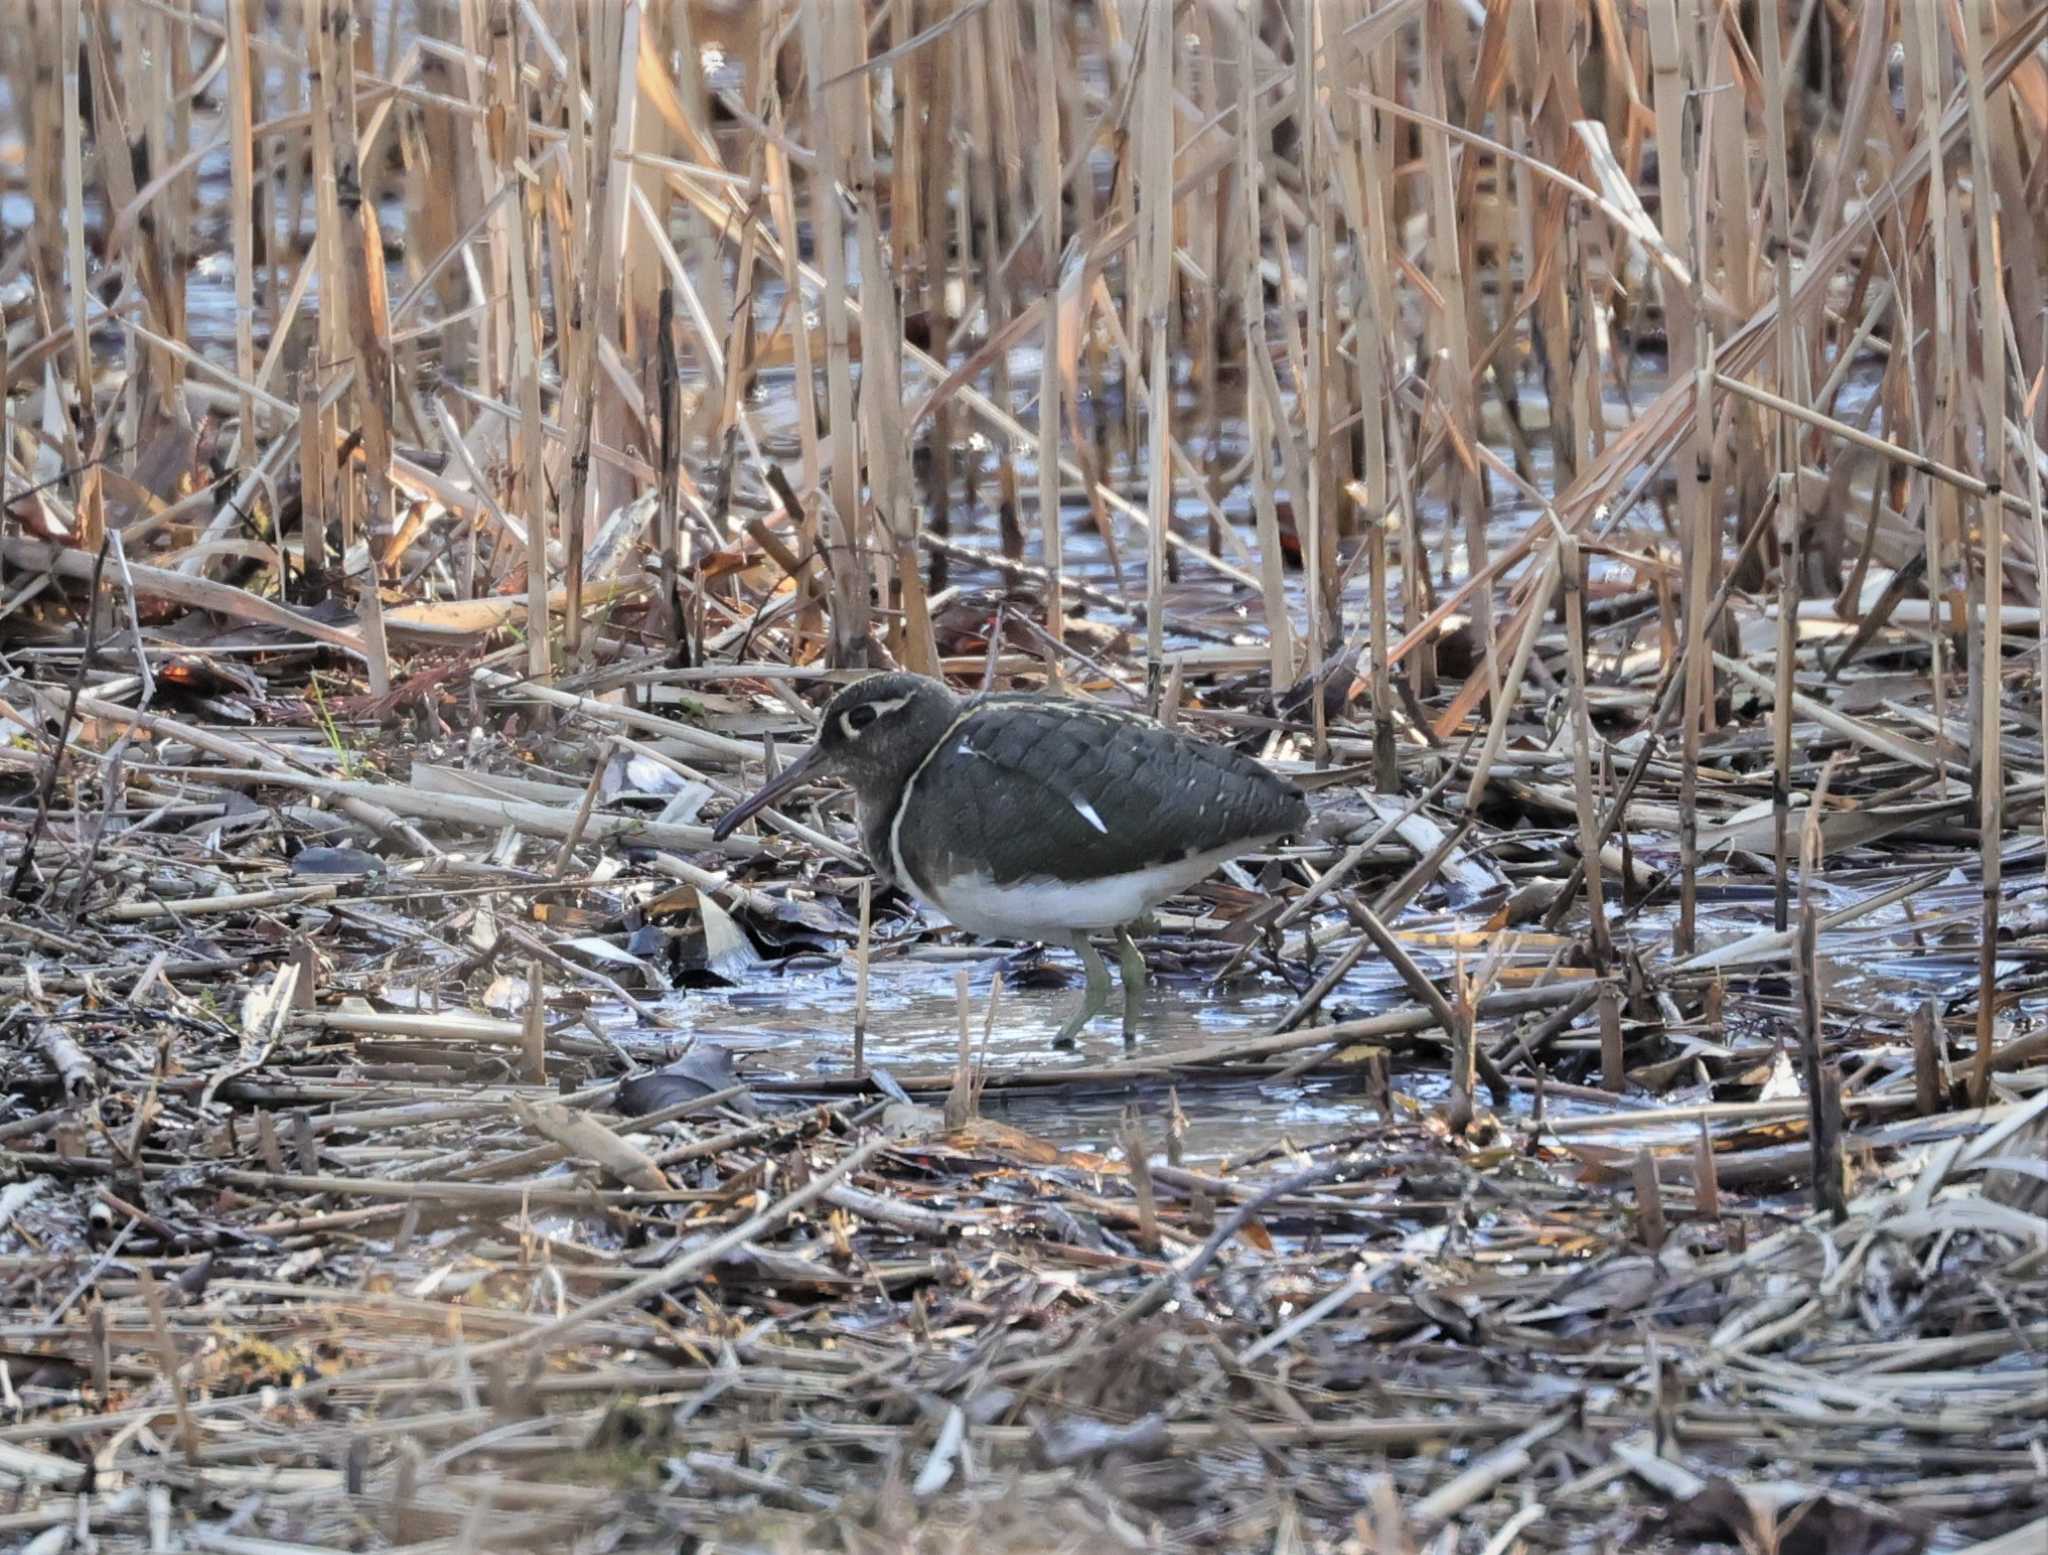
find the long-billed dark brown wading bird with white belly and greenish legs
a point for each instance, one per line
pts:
(1035, 818)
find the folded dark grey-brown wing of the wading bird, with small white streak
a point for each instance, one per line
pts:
(1046, 790)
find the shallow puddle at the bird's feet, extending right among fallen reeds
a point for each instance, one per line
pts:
(794, 1021)
